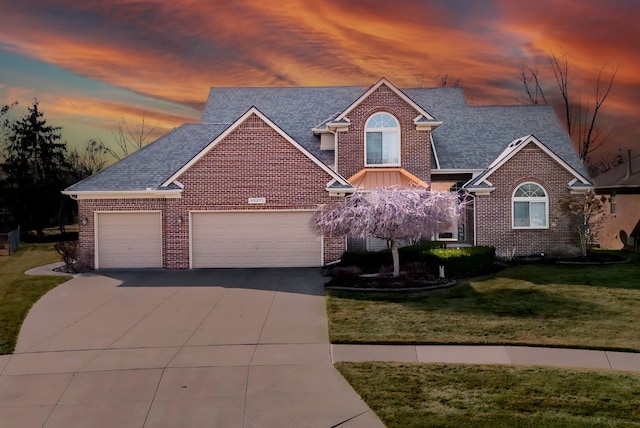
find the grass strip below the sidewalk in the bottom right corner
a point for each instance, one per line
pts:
(405, 395)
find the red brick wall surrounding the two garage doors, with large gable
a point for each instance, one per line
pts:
(252, 161)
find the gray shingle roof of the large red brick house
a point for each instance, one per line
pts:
(471, 137)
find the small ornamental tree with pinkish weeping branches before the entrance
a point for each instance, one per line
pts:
(391, 213)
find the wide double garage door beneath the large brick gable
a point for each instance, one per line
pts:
(254, 239)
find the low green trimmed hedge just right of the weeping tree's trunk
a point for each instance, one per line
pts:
(461, 262)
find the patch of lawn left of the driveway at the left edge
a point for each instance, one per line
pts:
(18, 292)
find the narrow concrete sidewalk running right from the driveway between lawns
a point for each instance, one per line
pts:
(517, 355)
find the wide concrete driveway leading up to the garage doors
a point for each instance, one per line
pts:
(202, 348)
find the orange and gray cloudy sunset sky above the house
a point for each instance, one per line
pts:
(93, 62)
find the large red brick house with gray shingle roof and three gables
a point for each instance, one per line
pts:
(240, 188)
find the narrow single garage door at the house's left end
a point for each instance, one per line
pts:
(129, 240)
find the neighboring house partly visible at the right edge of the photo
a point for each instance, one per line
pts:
(621, 224)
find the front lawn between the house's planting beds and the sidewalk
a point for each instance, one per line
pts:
(567, 306)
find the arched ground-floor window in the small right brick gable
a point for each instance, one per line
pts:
(530, 207)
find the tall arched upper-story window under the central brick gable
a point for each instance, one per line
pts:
(382, 140)
